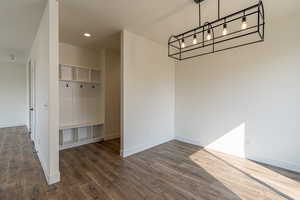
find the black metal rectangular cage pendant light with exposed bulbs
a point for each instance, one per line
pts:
(239, 29)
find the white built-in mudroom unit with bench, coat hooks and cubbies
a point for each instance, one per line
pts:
(81, 116)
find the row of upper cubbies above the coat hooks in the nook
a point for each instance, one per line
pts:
(79, 74)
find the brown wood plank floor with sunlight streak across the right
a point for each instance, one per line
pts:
(174, 170)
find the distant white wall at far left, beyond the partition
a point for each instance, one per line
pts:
(13, 102)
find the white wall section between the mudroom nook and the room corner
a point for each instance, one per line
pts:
(148, 94)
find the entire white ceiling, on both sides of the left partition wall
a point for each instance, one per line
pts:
(104, 19)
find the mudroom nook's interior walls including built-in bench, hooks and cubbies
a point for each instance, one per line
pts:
(90, 95)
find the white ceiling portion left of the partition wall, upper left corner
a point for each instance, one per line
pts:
(19, 20)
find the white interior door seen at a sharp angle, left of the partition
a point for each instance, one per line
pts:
(32, 103)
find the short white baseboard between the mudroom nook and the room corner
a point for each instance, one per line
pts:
(143, 147)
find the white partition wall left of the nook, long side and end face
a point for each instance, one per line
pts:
(44, 54)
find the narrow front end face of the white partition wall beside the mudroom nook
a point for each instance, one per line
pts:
(54, 174)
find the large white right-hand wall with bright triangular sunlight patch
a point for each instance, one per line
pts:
(245, 101)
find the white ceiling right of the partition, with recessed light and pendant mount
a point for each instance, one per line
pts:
(154, 19)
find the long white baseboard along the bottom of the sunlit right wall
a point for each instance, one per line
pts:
(275, 163)
